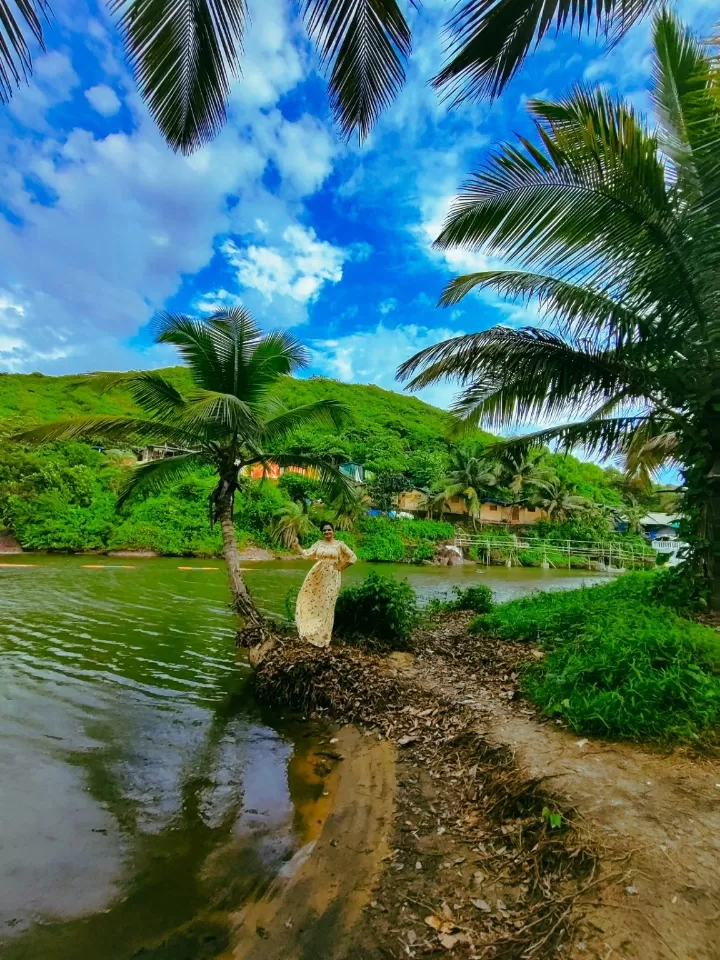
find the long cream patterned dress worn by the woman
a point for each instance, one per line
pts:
(315, 607)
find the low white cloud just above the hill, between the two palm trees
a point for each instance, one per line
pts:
(373, 356)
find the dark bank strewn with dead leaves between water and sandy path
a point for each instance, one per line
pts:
(481, 859)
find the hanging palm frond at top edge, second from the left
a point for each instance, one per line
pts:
(184, 54)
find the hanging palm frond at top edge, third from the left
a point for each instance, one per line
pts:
(365, 42)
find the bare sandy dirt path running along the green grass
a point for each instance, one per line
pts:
(655, 817)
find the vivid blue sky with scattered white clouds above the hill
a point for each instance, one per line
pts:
(101, 225)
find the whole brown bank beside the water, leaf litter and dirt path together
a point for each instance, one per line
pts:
(511, 837)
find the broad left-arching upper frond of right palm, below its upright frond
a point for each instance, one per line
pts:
(592, 202)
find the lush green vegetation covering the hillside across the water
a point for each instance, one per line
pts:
(63, 496)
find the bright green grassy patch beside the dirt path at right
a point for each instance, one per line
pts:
(619, 659)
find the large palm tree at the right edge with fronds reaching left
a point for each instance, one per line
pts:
(612, 228)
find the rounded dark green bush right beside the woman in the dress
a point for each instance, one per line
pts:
(378, 612)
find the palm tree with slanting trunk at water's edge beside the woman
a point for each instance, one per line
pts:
(229, 421)
